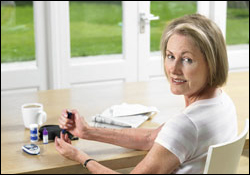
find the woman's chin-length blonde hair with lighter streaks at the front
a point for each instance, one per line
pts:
(208, 38)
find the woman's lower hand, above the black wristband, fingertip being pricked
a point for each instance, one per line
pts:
(64, 147)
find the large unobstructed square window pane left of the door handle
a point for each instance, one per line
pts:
(95, 27)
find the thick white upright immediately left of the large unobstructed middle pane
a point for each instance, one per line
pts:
(58, 43)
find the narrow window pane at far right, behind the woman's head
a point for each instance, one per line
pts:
(237, 22)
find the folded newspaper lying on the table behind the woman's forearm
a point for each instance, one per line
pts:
(123, 116)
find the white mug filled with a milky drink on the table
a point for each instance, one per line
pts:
(33, 113)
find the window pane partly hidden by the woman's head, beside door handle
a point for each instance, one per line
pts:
(167, 10)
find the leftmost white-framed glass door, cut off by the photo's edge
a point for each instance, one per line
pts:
(22, 61)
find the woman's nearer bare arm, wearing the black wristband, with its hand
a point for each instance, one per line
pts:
(158, 160)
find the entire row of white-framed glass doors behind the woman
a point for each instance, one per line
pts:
(108, 33)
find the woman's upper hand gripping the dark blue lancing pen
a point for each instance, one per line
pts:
(76, 125)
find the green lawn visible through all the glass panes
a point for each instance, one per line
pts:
(96, 28)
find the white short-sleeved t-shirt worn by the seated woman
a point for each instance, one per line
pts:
(189, 134)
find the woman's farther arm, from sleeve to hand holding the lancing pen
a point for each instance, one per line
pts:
(133, 138)
